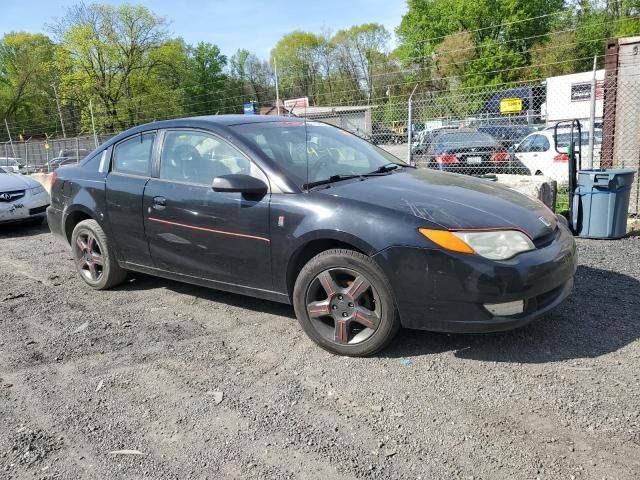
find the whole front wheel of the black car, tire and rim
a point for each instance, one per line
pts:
(344, 303)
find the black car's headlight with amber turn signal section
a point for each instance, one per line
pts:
(491, 244)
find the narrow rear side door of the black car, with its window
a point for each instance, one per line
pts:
(129, 173)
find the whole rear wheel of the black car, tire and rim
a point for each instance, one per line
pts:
(94, 260)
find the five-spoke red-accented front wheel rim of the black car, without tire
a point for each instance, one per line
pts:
(343, 306)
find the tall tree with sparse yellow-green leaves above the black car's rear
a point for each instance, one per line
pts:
(111, 50)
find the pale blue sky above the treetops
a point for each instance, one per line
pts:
(230, 24)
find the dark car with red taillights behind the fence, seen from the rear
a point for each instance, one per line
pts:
(469, 152)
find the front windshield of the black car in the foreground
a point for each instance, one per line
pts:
(310, 152)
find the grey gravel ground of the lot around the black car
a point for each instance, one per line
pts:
(141, 369)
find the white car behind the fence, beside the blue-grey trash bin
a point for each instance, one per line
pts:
(537, 152)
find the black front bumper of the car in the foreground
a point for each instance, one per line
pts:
(446, 291)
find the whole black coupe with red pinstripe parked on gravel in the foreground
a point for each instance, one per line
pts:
(305, 213)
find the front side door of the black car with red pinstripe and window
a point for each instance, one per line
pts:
(193, 230)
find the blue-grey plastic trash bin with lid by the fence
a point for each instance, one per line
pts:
(602, 200)
